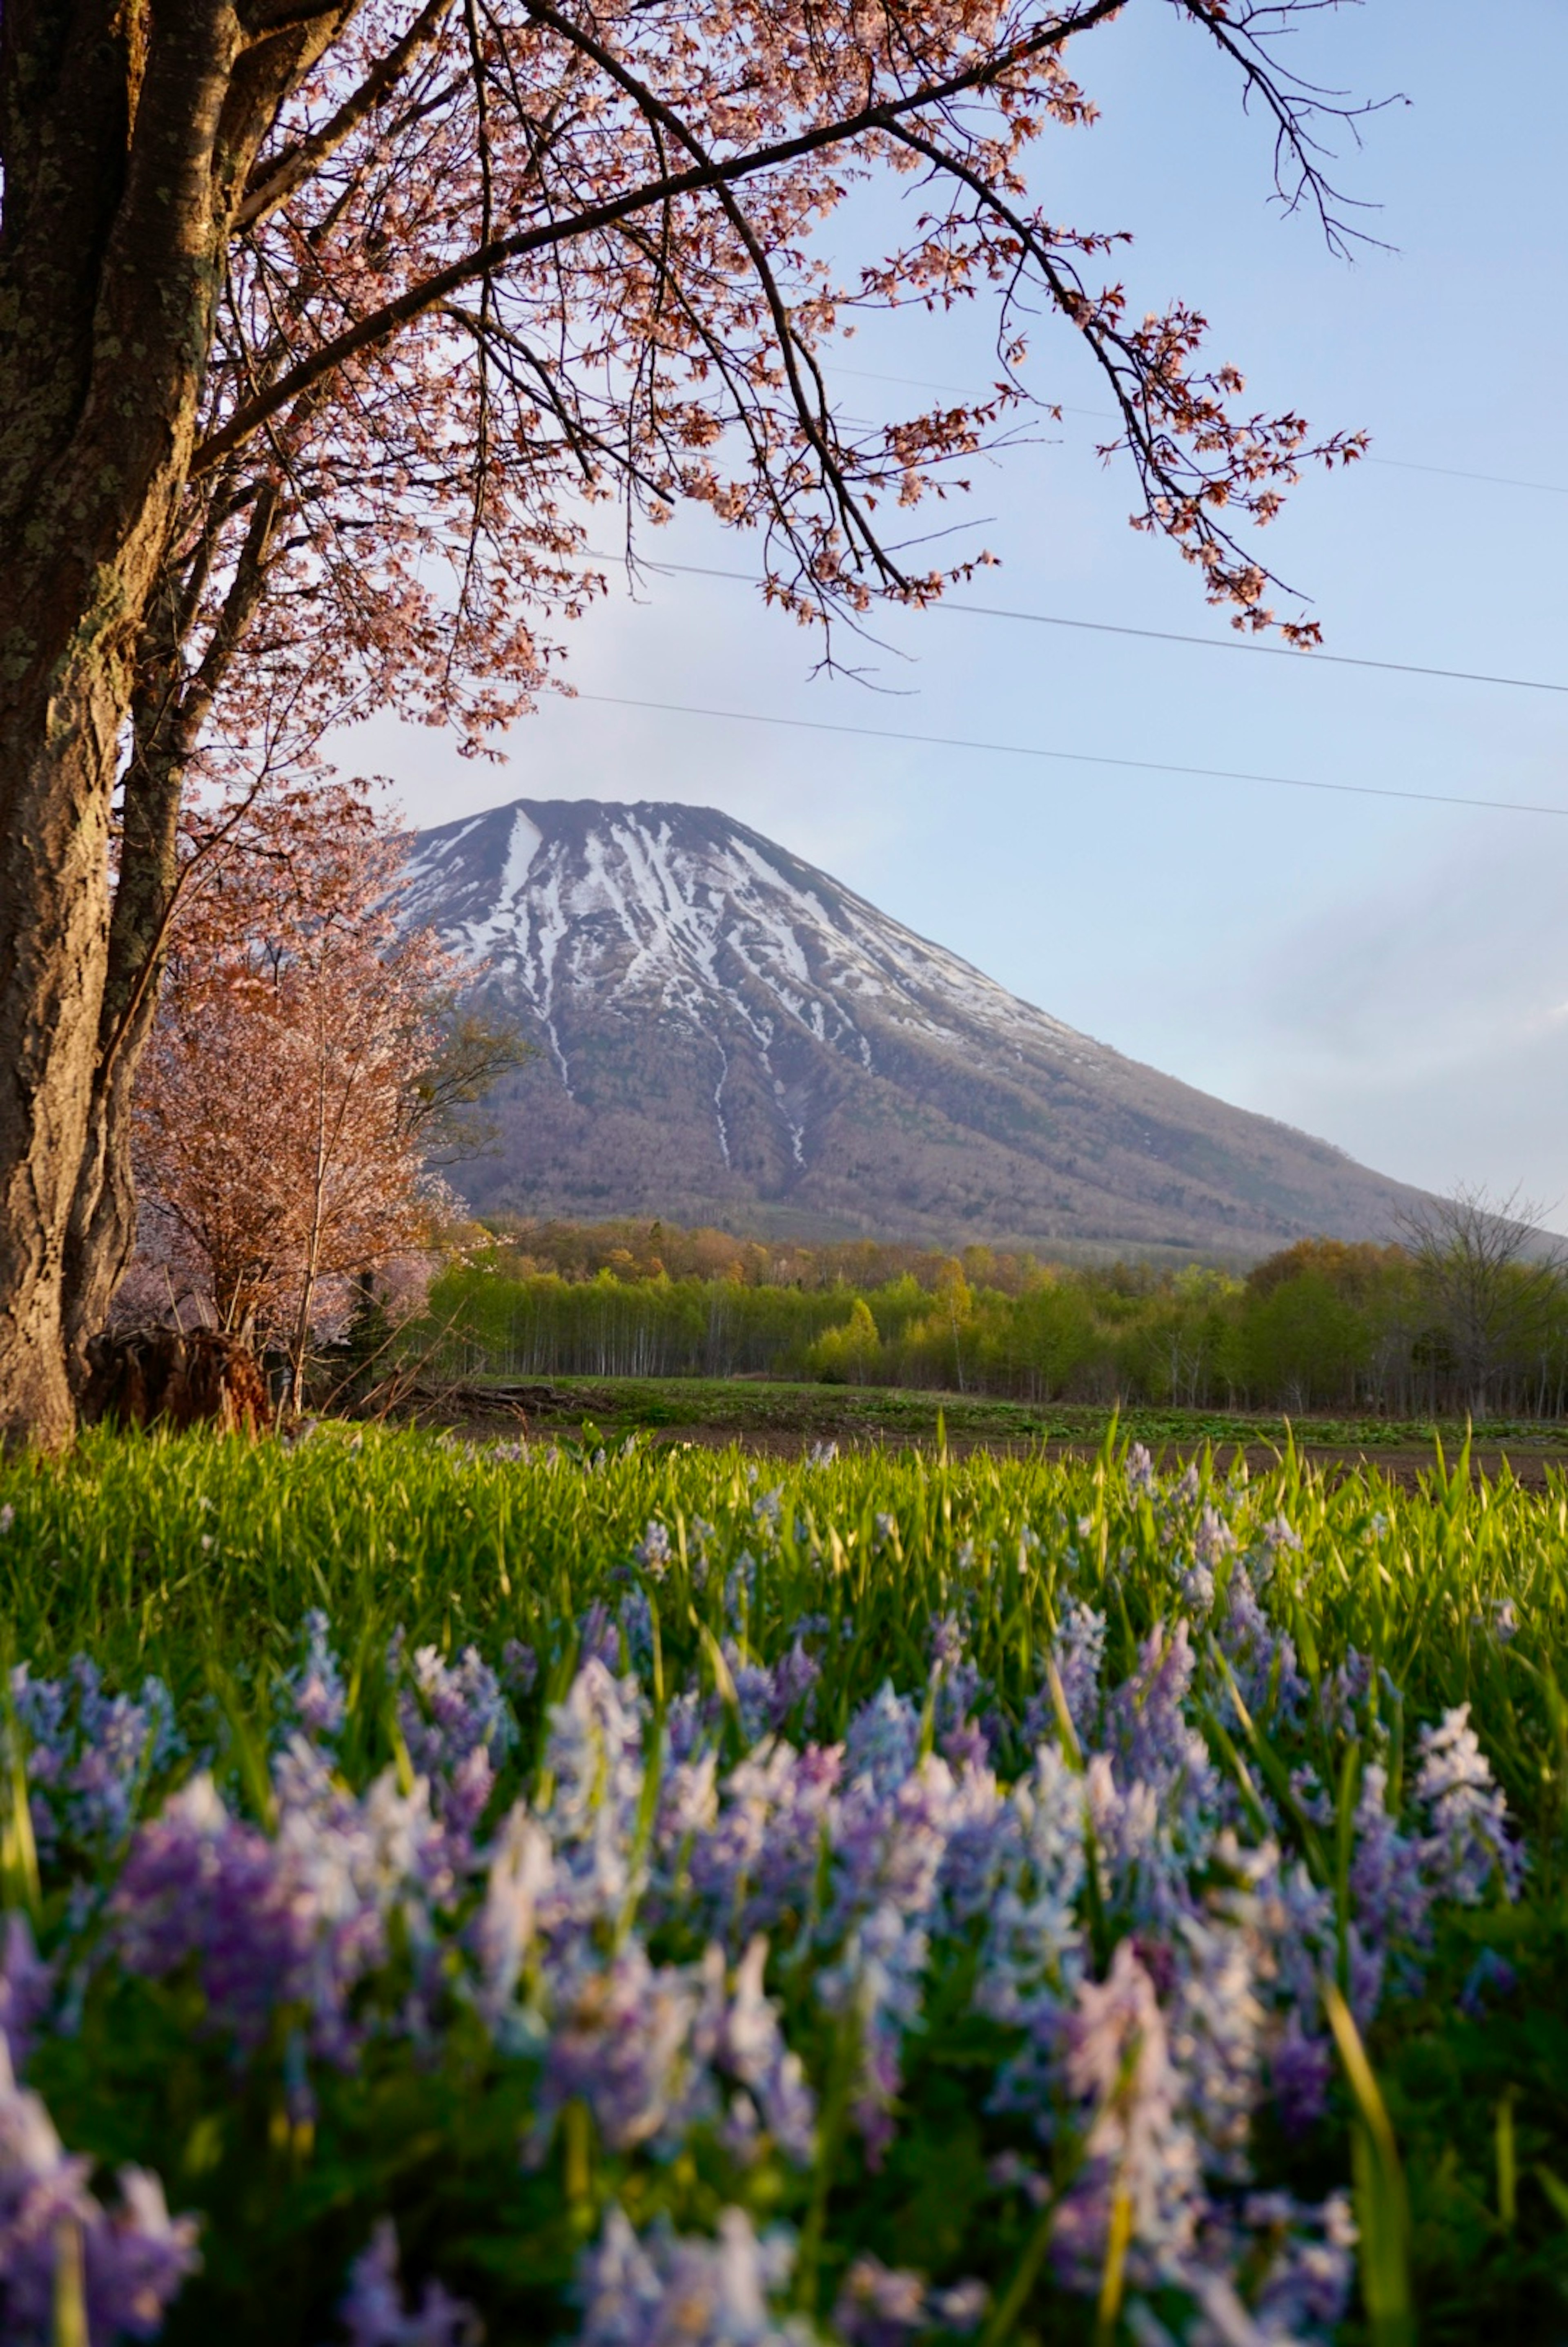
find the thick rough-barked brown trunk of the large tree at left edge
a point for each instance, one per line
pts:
(126, 135)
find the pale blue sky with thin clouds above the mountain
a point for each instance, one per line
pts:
(1388, 975)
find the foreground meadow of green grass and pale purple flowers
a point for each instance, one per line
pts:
(661, 1898)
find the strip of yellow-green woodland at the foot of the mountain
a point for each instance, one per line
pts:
(1466, 1313)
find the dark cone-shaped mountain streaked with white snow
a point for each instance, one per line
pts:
(731, 1036)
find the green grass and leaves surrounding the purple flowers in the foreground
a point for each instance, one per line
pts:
(198, 1557)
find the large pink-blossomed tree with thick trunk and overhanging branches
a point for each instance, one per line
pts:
(327, 325)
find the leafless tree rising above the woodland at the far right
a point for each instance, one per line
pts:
(1489, 1276)
